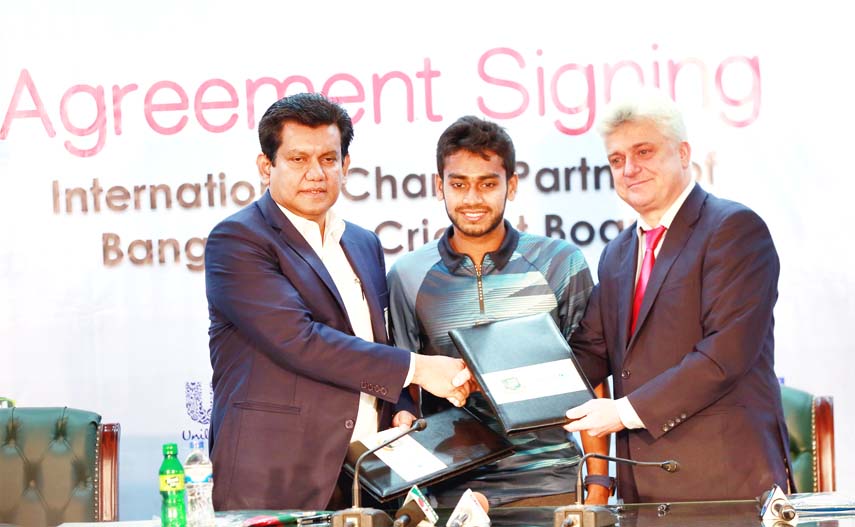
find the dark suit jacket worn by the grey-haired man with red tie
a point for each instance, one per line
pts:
(699, 370)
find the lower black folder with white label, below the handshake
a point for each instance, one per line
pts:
(453, 442)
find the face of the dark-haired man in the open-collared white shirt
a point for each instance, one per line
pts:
(309, 170)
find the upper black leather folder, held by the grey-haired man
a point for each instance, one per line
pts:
(526, 370)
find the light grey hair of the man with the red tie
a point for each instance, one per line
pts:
(644, 105)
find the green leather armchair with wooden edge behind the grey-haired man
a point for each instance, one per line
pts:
(810, 421)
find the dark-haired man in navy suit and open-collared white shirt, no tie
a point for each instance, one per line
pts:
(296, 299)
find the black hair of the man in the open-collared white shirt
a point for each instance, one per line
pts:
(309, 109)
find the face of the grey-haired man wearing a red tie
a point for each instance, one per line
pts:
(650, 170)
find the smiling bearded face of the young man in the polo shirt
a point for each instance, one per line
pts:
(475, 191)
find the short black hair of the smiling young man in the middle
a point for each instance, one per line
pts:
(477, 136)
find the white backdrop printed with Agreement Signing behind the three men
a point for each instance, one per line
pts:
(101, 100)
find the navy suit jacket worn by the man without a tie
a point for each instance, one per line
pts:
(287, 369)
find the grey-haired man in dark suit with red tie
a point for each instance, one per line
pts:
(682, 320)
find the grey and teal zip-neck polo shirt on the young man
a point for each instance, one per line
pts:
(434, 289)
